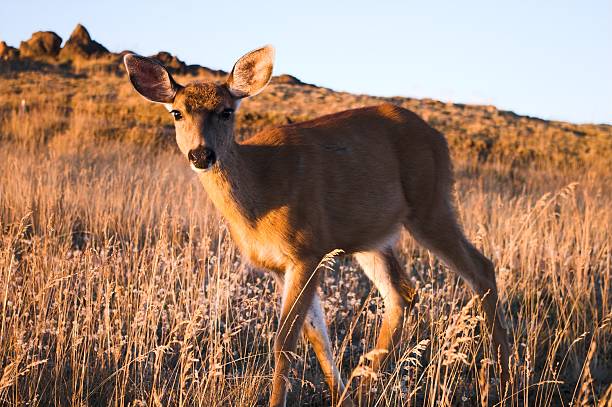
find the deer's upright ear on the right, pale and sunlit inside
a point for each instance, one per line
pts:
(252, 72)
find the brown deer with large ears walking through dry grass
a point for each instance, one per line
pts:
(351, 180)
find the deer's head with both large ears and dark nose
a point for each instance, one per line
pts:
(203, 111)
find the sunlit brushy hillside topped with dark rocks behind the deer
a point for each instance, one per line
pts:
(83, 77)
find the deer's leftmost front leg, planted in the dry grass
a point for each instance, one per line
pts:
(300, 284)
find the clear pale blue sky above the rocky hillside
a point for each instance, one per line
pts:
(551, 59)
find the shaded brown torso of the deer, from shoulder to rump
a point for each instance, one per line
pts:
(350, 179)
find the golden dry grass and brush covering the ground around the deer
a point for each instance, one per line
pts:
(119, 285)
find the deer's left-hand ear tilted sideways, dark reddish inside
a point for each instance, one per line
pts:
(150, 78)
